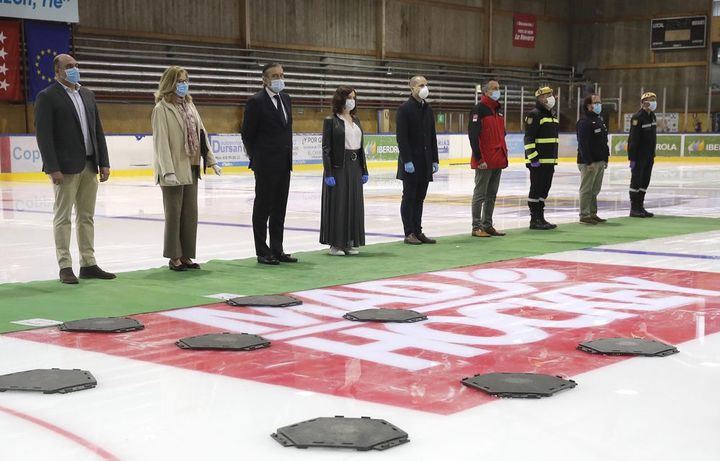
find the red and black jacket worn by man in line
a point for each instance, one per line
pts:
(486, 130)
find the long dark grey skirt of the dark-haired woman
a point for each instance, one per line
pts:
(342, 219)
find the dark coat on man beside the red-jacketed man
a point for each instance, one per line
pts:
(416, 138)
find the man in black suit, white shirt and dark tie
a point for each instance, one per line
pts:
(267, 134)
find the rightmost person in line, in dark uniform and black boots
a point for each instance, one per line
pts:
(641, 153)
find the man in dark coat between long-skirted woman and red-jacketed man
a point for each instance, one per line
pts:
(418, 159)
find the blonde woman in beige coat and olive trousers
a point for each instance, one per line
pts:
(180, 143)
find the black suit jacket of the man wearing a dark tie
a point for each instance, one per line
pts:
(267, 142)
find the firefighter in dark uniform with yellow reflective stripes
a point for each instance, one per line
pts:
(541, 153)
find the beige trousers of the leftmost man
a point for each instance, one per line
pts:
(79, 191)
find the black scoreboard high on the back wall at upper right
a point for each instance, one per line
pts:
(678, 33)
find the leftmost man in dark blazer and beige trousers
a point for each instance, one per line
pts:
(72, 144)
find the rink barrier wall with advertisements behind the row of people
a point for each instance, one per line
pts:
(132, 154)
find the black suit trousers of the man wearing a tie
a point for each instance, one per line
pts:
(271, 192)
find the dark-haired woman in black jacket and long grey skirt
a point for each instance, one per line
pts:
(342, 222)
